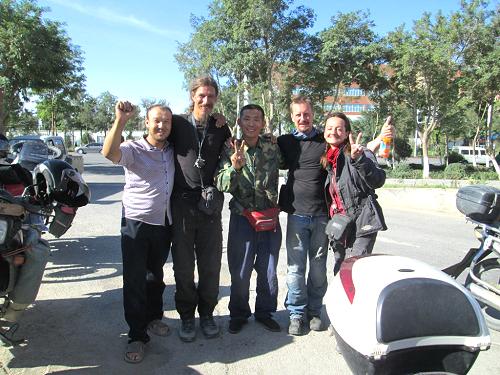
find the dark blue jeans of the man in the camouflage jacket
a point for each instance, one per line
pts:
(248, 250)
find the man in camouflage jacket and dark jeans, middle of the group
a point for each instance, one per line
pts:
(249, 170)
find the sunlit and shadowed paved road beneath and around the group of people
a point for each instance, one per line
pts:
(77, 326)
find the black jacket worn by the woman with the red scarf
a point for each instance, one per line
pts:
(356, 181)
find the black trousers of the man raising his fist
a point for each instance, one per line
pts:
(145, 249)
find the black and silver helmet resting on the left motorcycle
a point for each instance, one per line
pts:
(56, 180)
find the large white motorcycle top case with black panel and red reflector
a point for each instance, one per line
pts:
(396, 315)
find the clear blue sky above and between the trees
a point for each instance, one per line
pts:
(129, 46)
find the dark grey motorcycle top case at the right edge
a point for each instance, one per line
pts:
(479, 202)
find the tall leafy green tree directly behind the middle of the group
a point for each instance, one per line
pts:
(243, 41)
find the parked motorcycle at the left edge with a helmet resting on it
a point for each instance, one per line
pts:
(31, 203)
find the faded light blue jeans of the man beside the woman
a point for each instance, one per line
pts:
(305, 237)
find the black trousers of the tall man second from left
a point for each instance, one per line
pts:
(196, 237)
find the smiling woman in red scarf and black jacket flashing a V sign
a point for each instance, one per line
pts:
(353, 176)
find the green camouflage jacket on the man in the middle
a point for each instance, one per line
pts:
(255, 186)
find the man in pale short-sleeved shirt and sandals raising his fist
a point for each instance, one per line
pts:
(146, 220)
